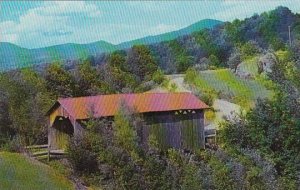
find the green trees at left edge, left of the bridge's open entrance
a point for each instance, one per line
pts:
(25, 100)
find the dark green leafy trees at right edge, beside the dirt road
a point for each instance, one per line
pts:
(272, 128)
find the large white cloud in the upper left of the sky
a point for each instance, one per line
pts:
(51, 18)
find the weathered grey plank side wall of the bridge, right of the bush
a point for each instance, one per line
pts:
(174, 126)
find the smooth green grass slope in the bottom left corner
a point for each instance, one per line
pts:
(19, 172)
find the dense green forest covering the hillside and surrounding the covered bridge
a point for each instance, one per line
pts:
(259, 149)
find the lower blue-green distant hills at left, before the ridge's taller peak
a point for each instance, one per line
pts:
(13, 56)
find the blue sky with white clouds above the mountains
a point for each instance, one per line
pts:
(33, 24)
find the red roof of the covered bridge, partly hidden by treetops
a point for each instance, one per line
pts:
(108, 105)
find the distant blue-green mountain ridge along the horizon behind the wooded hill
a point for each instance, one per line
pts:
(13, 56)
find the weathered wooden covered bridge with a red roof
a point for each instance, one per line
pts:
(175, 119)
